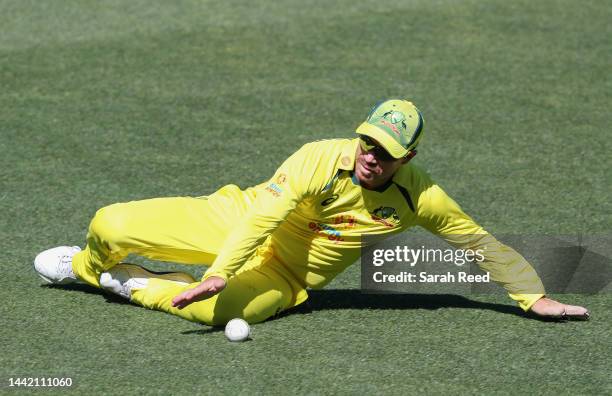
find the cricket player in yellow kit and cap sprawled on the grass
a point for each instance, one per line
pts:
(266, 245)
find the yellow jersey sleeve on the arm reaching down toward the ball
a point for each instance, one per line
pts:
(273, 203)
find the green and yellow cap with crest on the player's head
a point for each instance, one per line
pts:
(396, 124)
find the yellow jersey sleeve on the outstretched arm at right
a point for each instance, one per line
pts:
(441, 215)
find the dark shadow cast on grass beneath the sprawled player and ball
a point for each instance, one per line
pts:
(335, 299)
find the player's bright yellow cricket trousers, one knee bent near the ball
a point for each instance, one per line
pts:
(190, 231)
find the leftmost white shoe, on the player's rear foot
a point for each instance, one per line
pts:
(55, 265)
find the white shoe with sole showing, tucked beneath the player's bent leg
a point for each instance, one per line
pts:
(123, 278)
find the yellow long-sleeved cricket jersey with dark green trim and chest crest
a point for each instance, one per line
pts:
(313, 213)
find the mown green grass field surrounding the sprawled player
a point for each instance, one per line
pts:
(102, 102)
